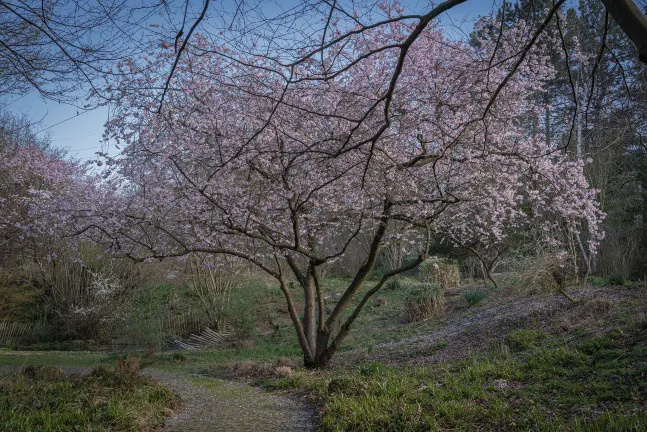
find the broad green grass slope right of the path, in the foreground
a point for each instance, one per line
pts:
(545, 383)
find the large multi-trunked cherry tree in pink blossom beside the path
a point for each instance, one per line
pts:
(384, 135)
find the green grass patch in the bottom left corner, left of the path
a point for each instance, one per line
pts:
(44, 398)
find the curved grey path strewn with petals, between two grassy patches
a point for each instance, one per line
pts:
(211, 404)
